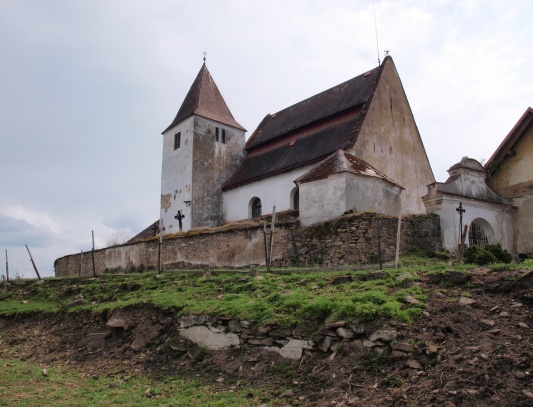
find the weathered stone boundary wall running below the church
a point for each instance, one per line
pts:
(349, 240)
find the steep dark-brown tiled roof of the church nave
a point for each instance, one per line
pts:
(308, 131)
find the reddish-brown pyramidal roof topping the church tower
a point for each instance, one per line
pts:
(204, 99)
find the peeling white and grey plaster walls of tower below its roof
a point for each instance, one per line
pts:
(193, 174)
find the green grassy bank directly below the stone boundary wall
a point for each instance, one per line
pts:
(288, 298)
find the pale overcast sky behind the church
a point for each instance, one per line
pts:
(87, 86)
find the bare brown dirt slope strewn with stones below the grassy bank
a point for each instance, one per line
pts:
(471, 347)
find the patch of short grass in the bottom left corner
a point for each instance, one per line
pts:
(23, 384)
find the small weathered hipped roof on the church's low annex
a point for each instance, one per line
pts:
(339, 162)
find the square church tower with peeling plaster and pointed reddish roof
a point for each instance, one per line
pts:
(202, 148)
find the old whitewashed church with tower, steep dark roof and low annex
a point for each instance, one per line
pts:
(353, 147)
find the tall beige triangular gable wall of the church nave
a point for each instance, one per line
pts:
(389, 141)
